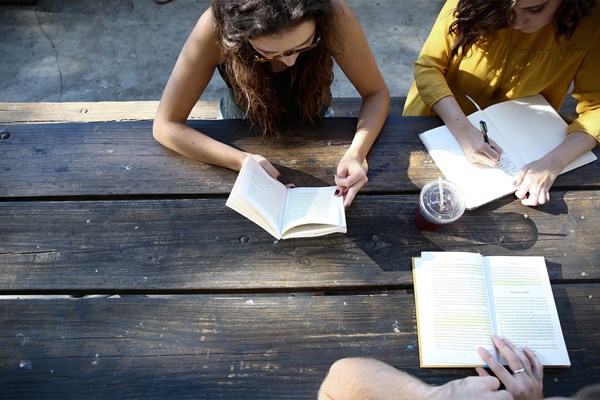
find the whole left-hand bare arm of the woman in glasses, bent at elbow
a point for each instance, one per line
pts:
(194, 68)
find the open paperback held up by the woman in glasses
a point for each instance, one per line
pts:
(285, 213)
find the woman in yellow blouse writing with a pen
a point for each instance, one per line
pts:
(498, 50)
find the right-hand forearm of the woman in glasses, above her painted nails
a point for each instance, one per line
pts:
(371, 118)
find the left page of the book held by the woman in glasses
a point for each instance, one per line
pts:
(259, 197)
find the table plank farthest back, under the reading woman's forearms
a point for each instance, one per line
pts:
(122, 158)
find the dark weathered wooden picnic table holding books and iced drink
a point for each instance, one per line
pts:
(202, 303)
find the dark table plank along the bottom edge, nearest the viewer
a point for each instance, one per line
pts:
(236, 347)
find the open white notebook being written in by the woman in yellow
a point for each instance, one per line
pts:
(526, 129)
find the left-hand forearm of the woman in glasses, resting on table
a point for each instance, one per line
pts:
(196, 145)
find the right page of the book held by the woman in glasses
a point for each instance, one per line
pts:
(312, 206)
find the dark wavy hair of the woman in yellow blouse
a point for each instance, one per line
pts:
(476, 20)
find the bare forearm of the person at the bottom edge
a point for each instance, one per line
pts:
(368, 379)
